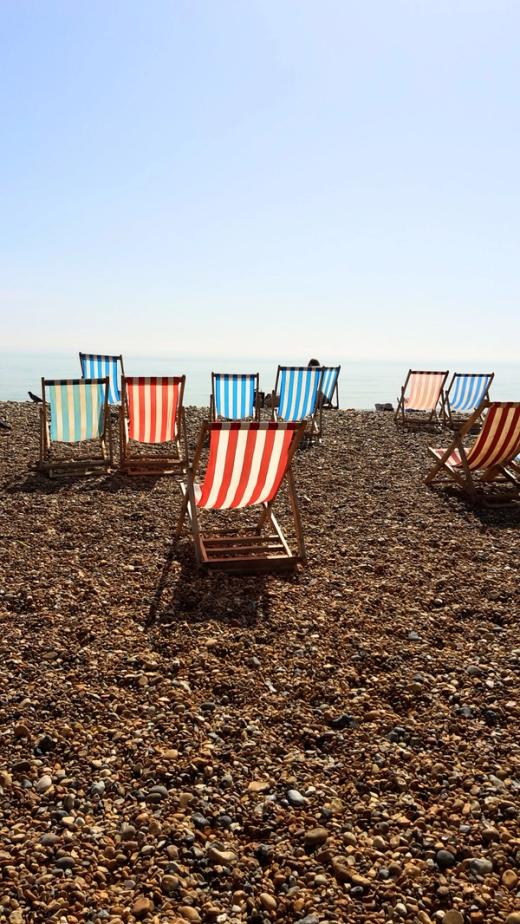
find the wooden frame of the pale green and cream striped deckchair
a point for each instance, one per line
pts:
(85, 466)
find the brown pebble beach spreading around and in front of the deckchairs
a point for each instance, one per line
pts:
(341, 745)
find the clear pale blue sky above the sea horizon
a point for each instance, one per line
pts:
(261, 176)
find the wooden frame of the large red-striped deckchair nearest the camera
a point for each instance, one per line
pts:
(244, 552)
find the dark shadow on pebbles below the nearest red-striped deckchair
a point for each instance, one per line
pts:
(186, 593)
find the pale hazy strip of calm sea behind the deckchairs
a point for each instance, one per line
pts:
(362, 383)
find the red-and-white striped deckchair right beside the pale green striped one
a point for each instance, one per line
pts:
(151, 414)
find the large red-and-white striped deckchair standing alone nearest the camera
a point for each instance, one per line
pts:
(247, 464)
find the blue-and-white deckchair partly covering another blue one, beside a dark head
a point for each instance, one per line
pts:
(295, 395)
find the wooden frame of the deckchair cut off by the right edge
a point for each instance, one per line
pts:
(463, 475)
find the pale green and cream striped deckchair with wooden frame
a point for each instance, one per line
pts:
(78, 413)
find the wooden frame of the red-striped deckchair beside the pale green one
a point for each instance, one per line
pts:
(135, 462)
